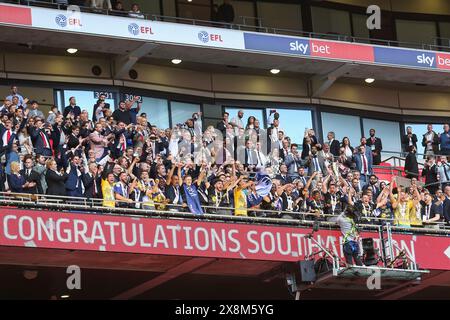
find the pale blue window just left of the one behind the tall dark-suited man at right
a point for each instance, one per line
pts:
(342, 126)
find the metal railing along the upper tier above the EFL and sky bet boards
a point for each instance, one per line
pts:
(439, 44)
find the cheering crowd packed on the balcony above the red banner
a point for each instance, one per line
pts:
(237, 167)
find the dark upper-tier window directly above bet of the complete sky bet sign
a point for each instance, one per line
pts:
(331, 21)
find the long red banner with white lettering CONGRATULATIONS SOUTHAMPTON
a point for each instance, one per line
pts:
(45, 229)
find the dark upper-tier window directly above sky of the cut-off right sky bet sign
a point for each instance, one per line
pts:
(416, 31)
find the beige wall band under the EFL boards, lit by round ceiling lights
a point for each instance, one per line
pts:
(220, 86)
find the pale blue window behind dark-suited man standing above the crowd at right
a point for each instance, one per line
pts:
(388, 132)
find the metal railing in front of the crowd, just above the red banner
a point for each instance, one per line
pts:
(164, 210)
